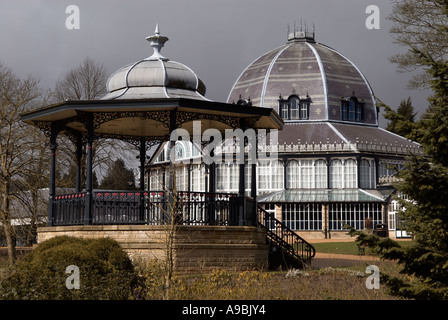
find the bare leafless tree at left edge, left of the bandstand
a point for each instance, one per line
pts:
(18, 143)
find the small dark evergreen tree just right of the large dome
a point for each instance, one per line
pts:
(402, 122)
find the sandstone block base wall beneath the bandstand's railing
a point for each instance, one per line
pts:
(196, 248)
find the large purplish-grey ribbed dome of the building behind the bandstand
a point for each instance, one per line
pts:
(306, 69)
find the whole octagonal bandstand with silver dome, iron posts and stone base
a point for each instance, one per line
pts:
(146, 102)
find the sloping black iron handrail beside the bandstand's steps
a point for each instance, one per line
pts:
(284, 238)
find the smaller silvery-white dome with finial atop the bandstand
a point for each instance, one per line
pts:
(155, 77)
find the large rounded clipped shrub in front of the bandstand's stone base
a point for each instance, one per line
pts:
(105, 271)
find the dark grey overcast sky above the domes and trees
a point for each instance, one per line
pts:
(218, 39)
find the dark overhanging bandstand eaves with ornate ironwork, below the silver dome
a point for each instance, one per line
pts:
(148, 118)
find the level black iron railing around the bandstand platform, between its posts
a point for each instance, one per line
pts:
(141, 207)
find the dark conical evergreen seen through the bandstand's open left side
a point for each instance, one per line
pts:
(118, 177)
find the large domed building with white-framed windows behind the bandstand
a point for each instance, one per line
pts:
(334, 164)
